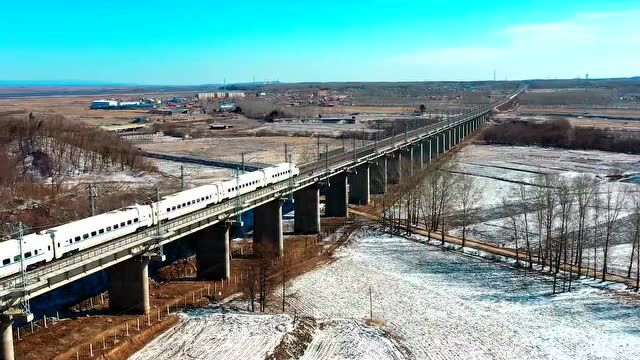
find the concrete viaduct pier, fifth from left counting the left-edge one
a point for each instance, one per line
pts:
(307, 210)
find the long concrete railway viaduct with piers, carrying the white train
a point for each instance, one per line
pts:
(349, 177)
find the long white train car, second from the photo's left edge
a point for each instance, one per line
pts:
(95, 230)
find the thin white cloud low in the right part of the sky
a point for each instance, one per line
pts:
(603, 44)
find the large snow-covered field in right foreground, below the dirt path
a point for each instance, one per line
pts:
(445, 305)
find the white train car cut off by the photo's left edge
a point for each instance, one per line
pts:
(37, 248)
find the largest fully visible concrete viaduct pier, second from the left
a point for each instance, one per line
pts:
(129, 286)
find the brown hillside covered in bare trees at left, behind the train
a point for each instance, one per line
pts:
(51, 146)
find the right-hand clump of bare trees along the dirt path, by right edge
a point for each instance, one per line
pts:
(571, 224)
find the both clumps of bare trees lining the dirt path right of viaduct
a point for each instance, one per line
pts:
(562, 225)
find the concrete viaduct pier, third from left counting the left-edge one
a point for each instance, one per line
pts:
(213, 254)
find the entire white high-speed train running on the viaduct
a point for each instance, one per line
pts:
(60, 241)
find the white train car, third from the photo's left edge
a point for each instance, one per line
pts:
(184, 202)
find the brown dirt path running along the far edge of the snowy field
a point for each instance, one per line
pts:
(521, 255)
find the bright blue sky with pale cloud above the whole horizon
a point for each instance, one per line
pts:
(195, 42)
